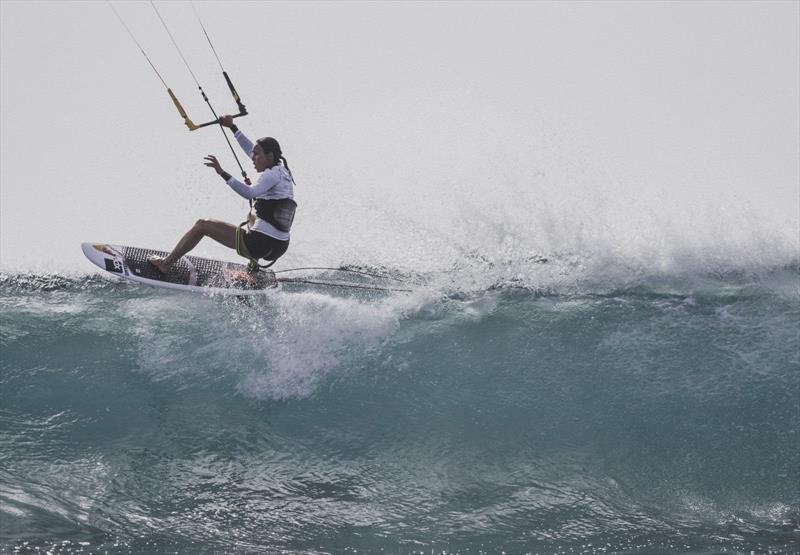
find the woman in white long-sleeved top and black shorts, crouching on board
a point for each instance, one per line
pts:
(271, 215)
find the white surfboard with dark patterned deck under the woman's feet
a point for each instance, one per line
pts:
(190, 273)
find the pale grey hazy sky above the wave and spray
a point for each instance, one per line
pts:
(379, 104)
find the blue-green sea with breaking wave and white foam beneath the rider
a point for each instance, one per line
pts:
(464, 416)
